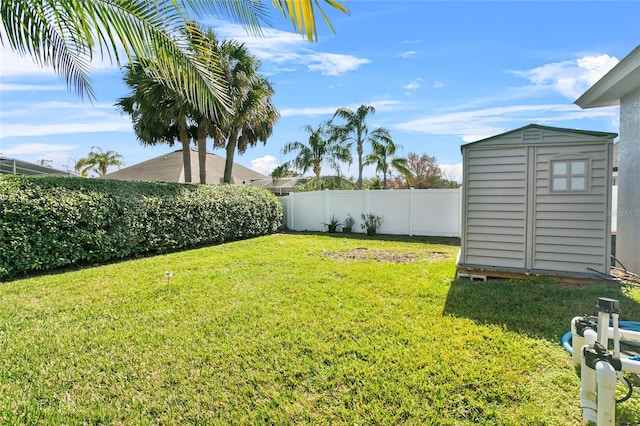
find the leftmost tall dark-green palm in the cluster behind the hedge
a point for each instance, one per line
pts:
(159, 115)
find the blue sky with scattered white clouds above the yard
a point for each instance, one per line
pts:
(438, 73)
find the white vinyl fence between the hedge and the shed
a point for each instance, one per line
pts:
(427, 212)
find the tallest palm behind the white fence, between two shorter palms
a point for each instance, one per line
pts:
(355, 130)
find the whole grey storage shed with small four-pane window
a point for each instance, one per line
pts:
(536, 201)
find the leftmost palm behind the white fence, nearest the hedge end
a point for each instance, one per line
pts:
(320, 148)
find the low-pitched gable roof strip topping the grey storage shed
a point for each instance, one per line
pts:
(533, 134)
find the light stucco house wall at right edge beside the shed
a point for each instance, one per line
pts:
(628, 220)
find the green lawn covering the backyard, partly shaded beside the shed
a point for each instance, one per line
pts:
(292, 329)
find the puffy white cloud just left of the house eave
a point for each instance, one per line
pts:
(570, 78)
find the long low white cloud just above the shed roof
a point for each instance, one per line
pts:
(481, 123)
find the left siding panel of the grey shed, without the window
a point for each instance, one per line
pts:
(496, 214)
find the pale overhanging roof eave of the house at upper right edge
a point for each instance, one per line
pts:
(614, 85)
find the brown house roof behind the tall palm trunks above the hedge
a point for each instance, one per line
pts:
(169, 168)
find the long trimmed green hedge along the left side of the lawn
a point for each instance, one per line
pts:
(50, 222)
